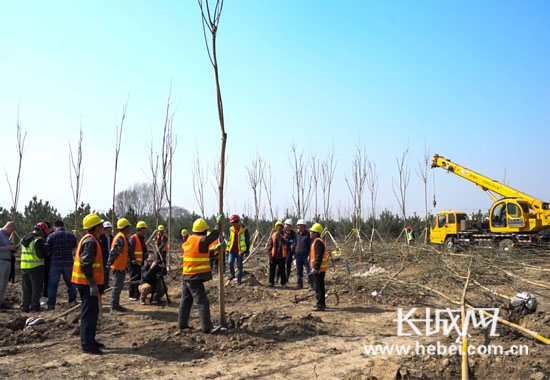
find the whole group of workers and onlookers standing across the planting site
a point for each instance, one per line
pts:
(87, 265)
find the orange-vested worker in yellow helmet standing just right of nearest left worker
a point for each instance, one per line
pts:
(118, 261)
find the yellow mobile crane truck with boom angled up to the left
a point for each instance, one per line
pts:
(515, 219)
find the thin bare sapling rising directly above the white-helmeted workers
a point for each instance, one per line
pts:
(302, 191)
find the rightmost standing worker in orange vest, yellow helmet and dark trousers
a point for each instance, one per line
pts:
(318, 264)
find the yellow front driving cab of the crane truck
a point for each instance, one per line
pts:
(445, 228)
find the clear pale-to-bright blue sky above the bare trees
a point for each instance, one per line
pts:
(469, 79)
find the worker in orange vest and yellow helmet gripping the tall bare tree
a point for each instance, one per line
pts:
(196, 270)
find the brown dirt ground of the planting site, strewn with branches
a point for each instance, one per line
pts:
(273, 334)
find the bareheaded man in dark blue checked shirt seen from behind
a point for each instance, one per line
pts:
(60, 246)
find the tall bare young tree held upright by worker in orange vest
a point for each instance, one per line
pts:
(210, 21)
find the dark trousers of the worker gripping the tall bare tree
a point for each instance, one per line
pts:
(194, 291)
